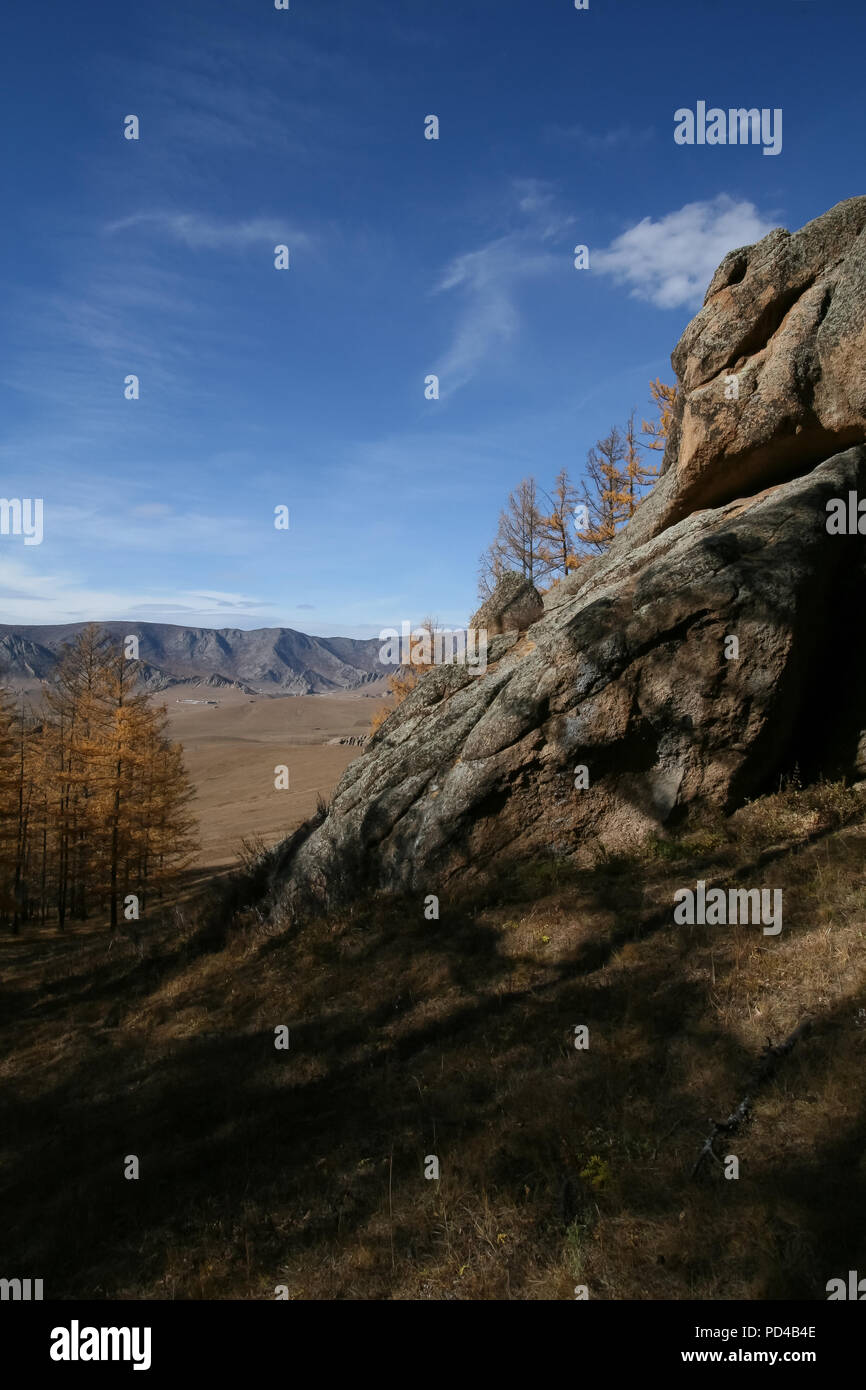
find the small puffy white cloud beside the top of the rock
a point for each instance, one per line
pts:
(672, 261)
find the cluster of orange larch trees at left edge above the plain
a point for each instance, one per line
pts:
(94, 796)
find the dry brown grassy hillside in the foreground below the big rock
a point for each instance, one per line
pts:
(455, 1039)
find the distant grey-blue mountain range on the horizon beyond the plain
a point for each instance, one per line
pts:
(268, 661)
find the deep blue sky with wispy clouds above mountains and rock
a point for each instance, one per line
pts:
(408, 256)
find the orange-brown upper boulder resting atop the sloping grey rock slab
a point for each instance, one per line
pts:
(772, 373)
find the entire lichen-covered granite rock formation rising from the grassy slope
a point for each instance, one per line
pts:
(715, 647)
